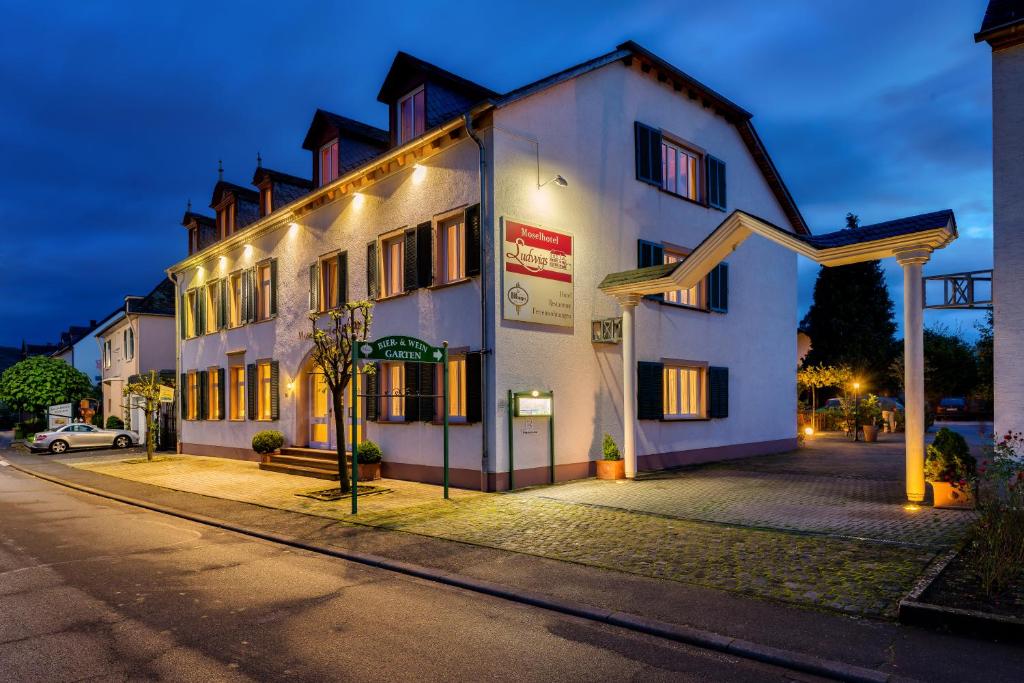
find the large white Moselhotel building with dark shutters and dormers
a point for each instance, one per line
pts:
(489, 222)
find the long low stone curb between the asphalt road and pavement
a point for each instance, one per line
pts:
(698, 637)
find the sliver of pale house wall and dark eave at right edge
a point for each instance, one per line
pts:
(1003, 28)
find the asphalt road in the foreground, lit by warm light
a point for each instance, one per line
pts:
(93, 589)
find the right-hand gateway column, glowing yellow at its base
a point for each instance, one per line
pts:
(914, 367)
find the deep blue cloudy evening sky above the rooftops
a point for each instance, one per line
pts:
(114, 114)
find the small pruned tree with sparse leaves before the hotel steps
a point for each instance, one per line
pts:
(332, 355)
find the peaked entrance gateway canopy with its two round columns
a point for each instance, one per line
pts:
(911, 241)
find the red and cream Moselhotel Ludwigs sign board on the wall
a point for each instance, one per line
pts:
(538, 275)
